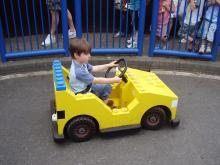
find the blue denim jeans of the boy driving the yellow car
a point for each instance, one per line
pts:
(101, 90)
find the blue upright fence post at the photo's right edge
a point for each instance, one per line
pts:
(216, 43)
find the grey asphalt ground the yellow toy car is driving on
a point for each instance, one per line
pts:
(26, 137)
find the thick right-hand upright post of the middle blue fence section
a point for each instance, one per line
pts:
(141, 26)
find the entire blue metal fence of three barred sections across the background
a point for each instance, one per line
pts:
(25, 25)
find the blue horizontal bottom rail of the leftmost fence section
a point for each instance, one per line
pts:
(35, 53)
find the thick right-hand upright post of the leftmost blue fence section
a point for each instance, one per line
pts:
(65, 27)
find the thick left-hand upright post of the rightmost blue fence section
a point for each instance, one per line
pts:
(153, 27)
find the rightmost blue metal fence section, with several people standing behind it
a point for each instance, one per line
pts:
(192, 40)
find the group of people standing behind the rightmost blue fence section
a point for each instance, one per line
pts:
(197, 20)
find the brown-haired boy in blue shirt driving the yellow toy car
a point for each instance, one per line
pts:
(81, 79)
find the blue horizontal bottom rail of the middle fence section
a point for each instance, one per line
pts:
(115, 51)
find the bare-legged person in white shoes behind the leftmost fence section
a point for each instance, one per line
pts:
(55, 7)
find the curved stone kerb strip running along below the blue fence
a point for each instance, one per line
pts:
(143, 62)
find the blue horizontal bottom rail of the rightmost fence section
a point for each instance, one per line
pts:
(181, 54)
